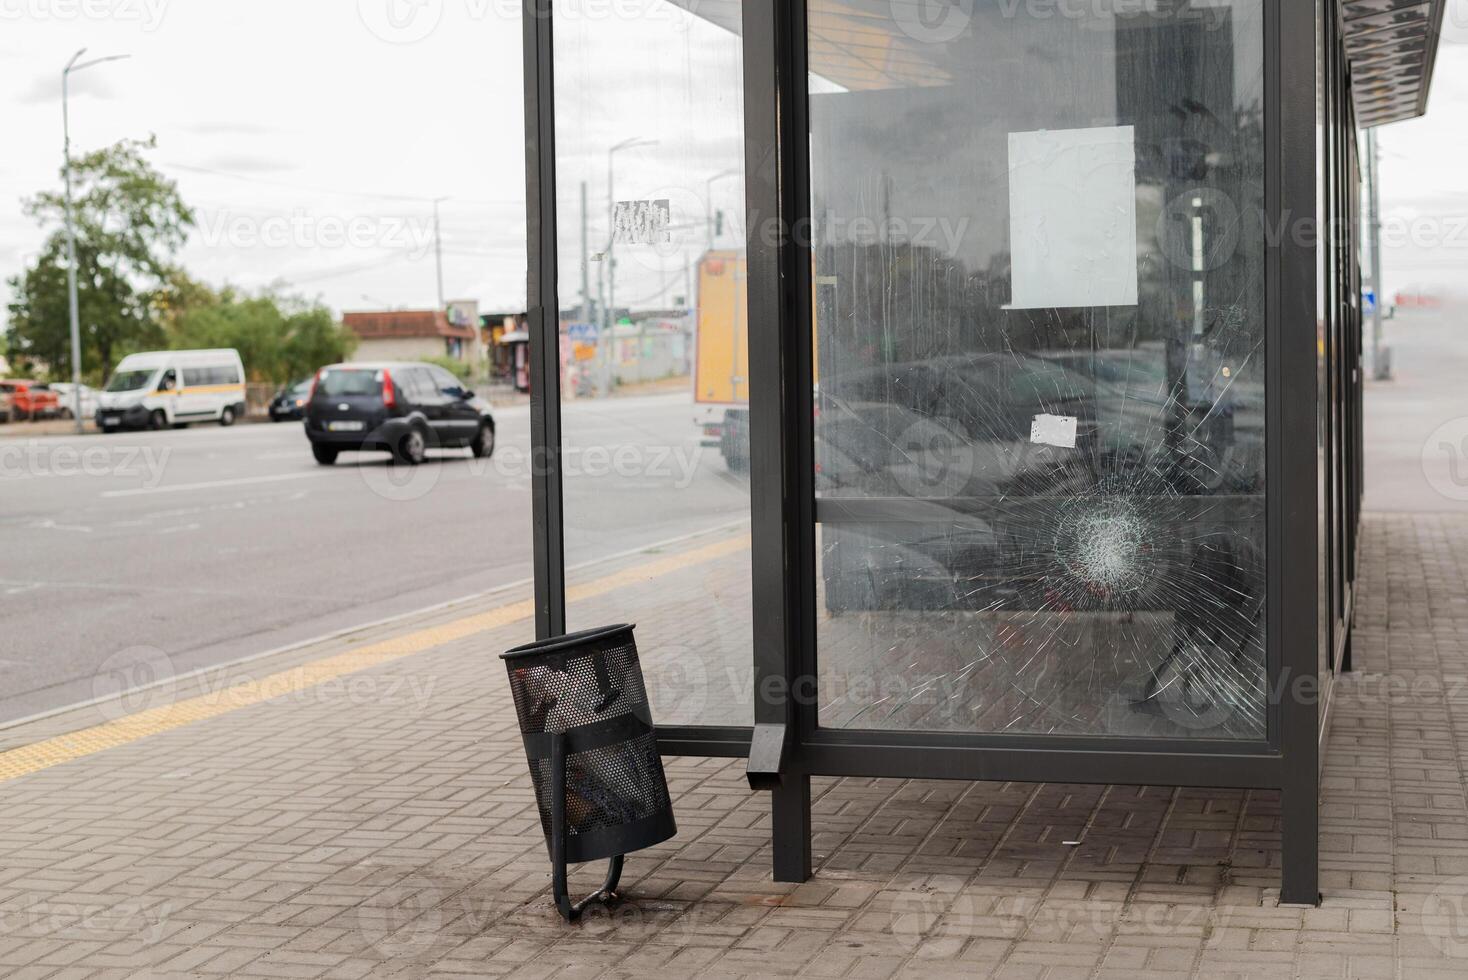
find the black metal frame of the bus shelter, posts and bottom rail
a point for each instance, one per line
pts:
(786, 747)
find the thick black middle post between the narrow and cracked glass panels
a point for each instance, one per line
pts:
(782, 439)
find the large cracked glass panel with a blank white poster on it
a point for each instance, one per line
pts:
(1040, 326)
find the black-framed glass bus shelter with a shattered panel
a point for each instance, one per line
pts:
(1021, 436)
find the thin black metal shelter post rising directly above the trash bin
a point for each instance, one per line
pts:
(544, 321)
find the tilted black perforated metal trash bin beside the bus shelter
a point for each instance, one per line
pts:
(594, 752)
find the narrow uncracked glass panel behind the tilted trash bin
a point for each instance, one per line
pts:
(651, 184)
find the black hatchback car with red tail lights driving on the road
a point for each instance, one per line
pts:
(401, 409)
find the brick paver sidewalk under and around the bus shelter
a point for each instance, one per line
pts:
(363, 809)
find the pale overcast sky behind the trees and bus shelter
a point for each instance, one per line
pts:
(313, 139)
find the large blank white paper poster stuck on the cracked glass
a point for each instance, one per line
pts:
(1074, 218)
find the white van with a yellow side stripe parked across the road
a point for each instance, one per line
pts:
(174, 388)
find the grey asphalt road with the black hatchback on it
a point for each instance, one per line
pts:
(208, 545)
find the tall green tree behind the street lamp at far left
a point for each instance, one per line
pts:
(130, 225)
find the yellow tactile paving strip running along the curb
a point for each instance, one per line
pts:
(62, 749)
